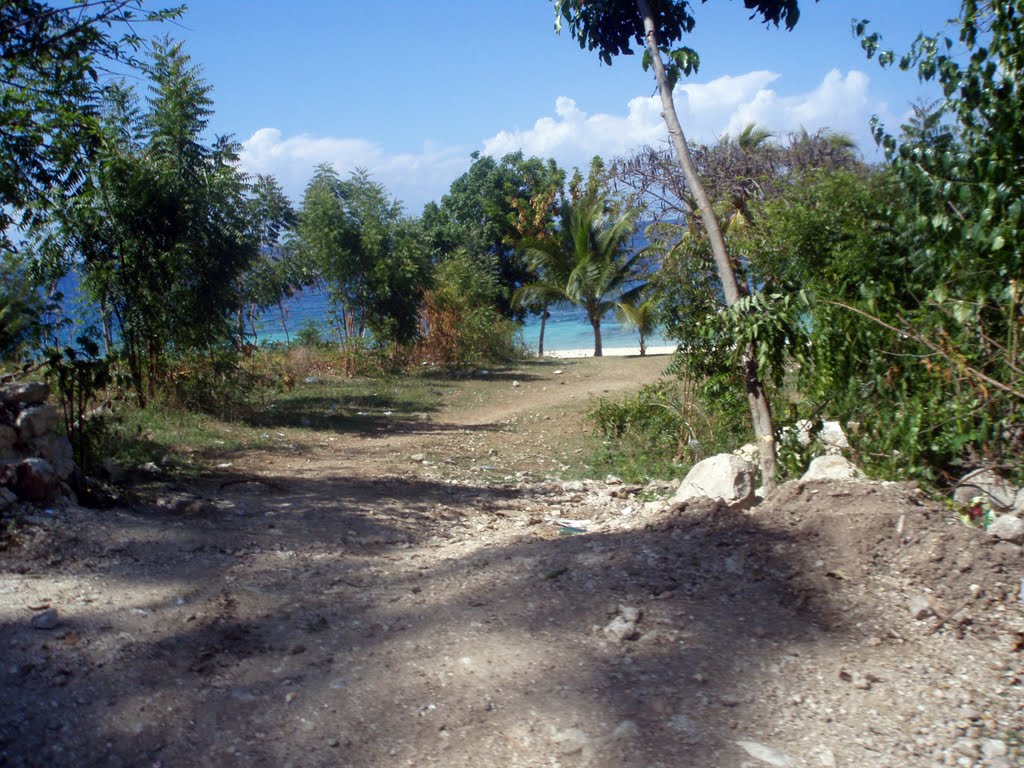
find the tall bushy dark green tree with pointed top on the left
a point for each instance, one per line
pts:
(162, 233)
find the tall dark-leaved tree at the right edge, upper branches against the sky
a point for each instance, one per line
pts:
(954, 318)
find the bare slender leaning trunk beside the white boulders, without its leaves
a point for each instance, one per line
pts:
(756, 396)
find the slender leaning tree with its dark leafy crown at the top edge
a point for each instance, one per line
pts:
(612, 28)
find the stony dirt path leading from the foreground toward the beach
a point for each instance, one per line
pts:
(412, 599)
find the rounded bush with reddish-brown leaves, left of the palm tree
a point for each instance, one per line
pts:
(461, 315)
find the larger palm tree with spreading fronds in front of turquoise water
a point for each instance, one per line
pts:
(587, 263)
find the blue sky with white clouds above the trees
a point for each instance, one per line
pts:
(410, 89)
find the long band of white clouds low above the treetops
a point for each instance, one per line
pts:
(573, 137)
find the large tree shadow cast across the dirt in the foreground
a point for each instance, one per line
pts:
(345, 624)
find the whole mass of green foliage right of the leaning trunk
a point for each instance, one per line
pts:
(913, 273)
